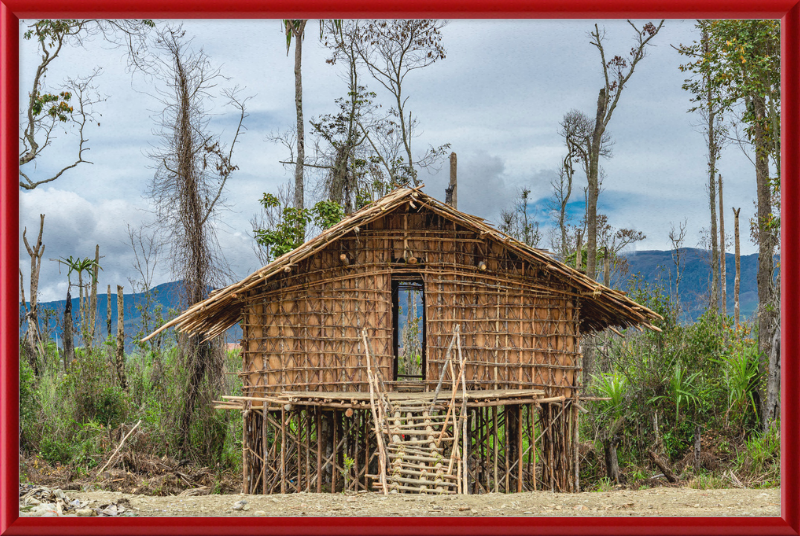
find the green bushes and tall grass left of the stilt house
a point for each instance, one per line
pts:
(77, 418)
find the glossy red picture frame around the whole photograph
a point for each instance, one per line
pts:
(11, 11)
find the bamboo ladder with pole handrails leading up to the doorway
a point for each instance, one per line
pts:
(415, 450)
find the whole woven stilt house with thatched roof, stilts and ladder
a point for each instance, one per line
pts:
(411, 348)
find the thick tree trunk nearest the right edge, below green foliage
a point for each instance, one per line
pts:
(766, 314)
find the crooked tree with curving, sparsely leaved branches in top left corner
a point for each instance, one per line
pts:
(72, 104)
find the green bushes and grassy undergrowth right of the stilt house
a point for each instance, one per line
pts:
(688, 385)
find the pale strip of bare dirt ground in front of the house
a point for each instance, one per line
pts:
(649, 502)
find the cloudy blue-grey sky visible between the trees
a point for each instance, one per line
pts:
(497, 98)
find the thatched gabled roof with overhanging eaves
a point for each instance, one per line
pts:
(601, 307)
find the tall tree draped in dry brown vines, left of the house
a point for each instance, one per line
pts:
(192, 168)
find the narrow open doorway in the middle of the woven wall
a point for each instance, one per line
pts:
(408, 312)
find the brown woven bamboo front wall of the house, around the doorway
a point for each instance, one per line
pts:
(519, 325)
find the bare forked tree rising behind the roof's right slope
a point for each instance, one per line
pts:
(616, 73)
